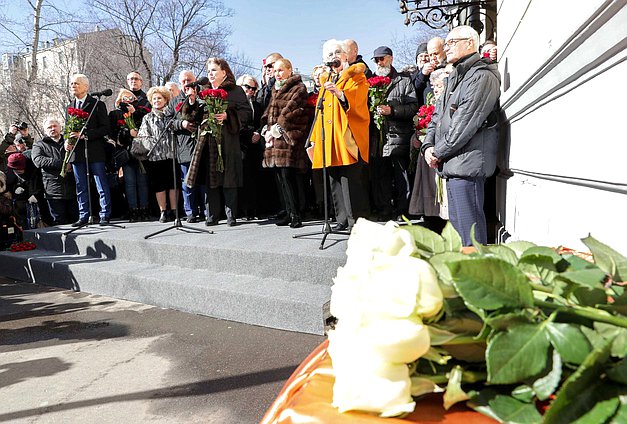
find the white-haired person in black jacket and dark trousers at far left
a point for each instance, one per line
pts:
(59, 192)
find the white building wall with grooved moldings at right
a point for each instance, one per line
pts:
(564, 74)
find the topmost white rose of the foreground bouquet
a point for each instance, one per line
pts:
(370, 239)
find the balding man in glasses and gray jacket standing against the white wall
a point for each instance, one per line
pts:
(462, 137)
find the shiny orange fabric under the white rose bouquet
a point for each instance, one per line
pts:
(307, 396)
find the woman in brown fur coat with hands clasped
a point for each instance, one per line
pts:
(285, 126)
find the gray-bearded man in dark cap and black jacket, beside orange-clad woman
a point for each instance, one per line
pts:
(389, 162)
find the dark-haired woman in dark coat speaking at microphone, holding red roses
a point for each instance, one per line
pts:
(226, 112)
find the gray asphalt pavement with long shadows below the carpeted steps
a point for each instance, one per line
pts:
(68, 357)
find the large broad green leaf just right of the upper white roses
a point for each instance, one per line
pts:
(490, 283)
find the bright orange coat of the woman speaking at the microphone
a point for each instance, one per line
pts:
(338, 122)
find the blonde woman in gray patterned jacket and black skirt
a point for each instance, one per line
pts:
(155, 145)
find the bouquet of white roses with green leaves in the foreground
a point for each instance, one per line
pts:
(522, 333)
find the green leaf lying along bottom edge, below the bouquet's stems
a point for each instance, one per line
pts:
(504, 408)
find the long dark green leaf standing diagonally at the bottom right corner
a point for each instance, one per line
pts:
(576, 396)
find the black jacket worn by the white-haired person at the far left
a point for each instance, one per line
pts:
(48, 157)
